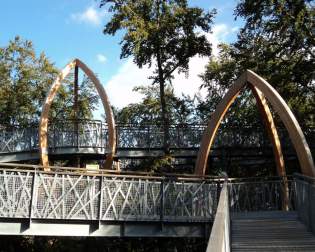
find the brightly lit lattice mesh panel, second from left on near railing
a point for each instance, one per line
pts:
(66, 197)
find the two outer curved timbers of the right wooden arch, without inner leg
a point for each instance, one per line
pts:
(279, 105)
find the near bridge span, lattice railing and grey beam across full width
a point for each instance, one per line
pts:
(80, 202)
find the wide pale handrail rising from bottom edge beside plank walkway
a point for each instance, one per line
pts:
(220, 233)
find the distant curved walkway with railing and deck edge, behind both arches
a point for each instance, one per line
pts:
(89, 138)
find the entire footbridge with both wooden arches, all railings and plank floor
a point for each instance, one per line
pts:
(252, 214)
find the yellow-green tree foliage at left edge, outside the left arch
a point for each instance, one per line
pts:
(24, 79)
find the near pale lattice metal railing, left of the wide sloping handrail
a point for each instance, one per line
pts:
(62, 195)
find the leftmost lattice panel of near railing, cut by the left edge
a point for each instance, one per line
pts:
(15, 194)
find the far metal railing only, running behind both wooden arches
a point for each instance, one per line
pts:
(94, 134)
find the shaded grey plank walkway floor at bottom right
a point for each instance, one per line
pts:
(270, 231)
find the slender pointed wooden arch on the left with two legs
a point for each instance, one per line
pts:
(43, 126)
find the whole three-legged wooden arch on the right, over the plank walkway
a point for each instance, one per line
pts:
(261, 89)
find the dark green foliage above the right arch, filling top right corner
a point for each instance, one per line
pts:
(277, 42)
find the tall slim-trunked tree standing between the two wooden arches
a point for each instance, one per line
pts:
(164, 32)
